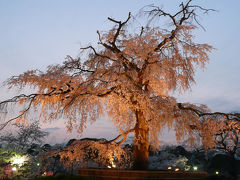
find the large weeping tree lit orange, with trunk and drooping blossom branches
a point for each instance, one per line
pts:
(130, 76)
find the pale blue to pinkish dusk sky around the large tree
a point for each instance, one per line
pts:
(38, 33)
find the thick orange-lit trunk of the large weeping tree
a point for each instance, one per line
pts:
(141, 143)
